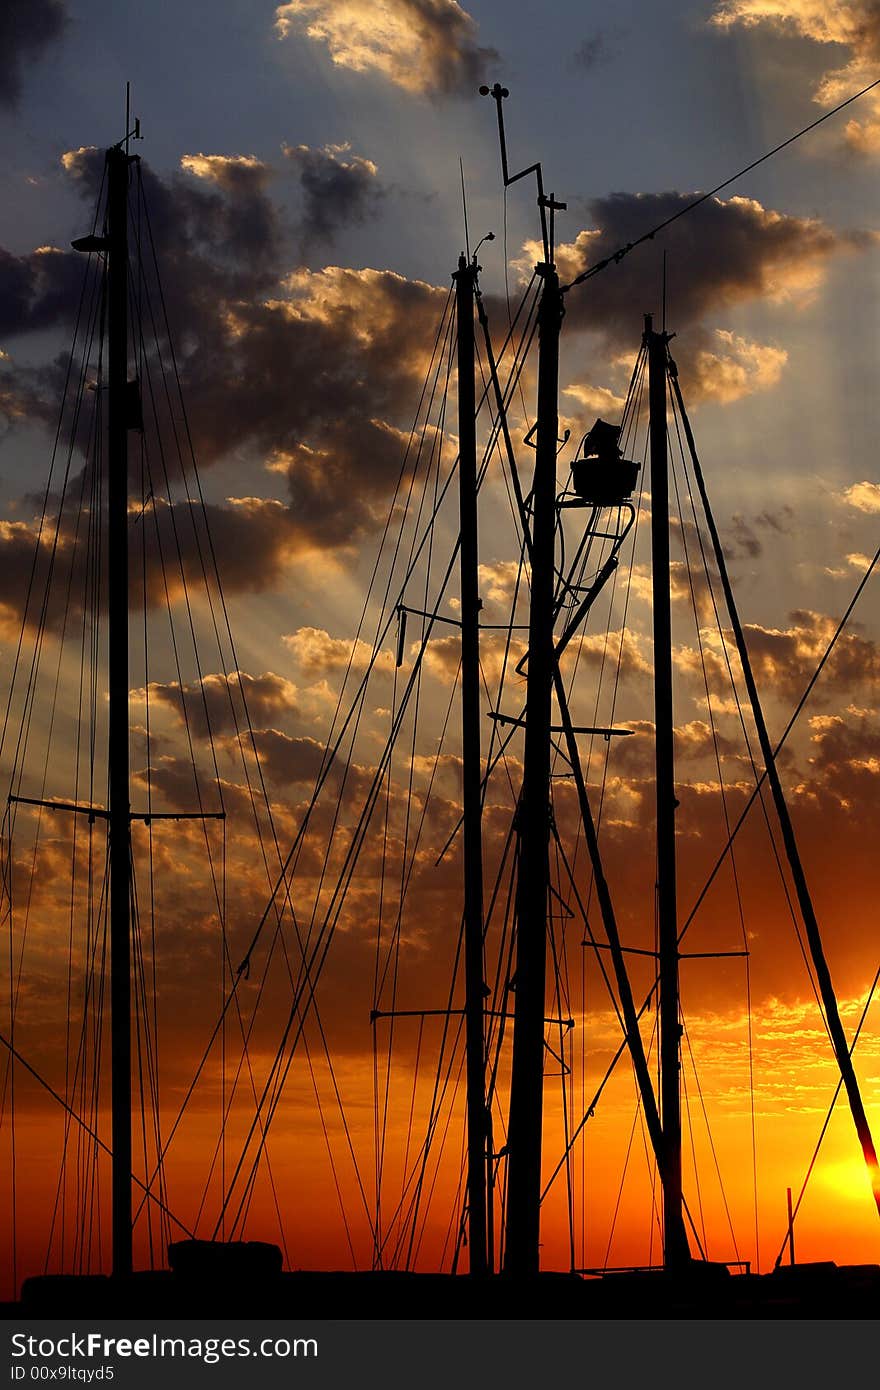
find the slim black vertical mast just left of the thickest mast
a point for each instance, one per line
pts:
(478, 1138)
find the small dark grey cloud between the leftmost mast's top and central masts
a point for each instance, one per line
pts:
(340, 190)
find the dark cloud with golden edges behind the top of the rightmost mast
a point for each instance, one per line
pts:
(719, 256)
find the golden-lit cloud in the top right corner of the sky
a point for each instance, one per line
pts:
(854, 26)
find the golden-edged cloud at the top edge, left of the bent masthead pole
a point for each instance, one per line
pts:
(423, 47)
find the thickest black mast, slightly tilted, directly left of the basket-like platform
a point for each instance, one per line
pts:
(522, 1236)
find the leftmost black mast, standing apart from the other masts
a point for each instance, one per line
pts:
(119, 715)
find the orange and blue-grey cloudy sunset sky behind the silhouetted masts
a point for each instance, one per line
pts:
(302, 166)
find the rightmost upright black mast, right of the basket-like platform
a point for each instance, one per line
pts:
(675, 1245)
